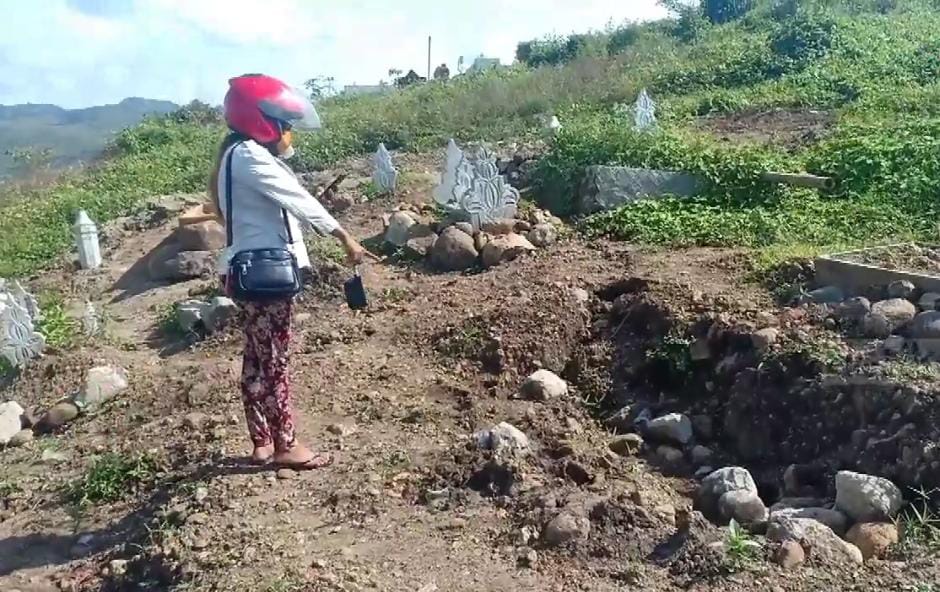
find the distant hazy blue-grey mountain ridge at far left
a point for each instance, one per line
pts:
(70, 136)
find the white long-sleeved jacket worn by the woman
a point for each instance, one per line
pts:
(261, 186)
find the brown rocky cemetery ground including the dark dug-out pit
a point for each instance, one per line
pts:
(152, 491)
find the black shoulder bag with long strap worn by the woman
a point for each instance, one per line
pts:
(259, 274)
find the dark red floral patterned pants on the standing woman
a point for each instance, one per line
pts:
(265, 383)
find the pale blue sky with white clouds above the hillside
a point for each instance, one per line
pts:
(78, 53)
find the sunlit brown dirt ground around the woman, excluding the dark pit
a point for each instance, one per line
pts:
(394, 393)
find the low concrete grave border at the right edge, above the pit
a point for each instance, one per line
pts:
(855, 277)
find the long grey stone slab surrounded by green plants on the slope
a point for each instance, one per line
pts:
(608, 187)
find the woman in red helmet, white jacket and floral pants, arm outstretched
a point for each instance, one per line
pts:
(263, 205)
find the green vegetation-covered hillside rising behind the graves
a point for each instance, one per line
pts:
(866, 68)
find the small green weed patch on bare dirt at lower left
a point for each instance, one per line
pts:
(111, 477)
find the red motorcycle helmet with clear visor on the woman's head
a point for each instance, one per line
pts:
(258, 106)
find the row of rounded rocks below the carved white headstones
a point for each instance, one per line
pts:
(455, 245)
